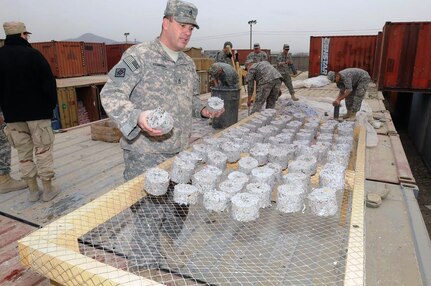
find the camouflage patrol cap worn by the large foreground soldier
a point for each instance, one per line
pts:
(183, 12)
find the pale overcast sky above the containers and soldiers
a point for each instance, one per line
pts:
(278, 21)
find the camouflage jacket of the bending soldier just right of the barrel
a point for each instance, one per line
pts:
(261, 72)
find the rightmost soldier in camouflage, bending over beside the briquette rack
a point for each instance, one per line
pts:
(353, 84)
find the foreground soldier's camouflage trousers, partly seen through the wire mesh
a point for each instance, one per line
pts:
(153, 216)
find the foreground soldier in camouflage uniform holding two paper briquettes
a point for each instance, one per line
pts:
(151, 75)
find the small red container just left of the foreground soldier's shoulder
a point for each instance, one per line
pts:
(95, 58)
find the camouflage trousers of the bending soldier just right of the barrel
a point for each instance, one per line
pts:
(266, 93)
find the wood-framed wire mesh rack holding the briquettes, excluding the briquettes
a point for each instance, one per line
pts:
(147, 240)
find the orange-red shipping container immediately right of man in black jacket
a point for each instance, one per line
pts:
(65, 58)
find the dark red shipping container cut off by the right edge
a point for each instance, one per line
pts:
(405, 63)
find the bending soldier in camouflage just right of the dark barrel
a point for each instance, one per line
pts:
(268, 82)
